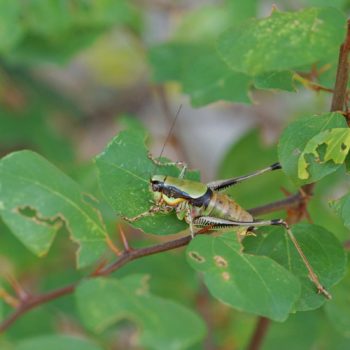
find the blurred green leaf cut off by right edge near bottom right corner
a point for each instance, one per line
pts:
(338, 309)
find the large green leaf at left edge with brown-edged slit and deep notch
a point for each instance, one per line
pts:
(37, 199)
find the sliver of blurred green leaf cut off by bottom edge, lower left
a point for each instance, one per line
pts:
(57, 342)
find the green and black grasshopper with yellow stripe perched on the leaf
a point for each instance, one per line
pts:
(204, 206)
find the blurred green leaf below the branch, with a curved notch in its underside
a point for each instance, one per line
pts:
(163, 323)
